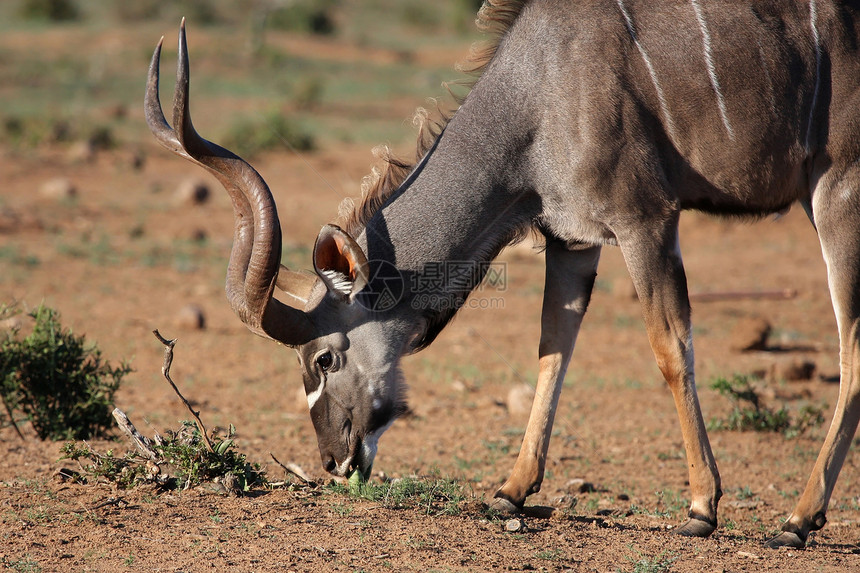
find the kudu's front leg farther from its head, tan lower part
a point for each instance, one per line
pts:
(654, 262)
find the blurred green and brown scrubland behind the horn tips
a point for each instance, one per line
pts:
(267, 74)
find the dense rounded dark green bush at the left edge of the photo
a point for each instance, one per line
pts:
(57, 381)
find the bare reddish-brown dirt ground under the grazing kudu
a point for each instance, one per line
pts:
(126, 255)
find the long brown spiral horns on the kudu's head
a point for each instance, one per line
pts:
(255, 258)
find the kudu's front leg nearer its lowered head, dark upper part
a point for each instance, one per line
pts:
(569, 280)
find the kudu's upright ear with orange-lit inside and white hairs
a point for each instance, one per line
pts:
(340, 262)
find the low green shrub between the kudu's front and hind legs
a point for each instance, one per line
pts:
(750, 414)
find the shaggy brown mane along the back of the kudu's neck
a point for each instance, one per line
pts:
(494, 18)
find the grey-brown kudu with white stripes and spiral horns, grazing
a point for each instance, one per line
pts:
(595, 122)
